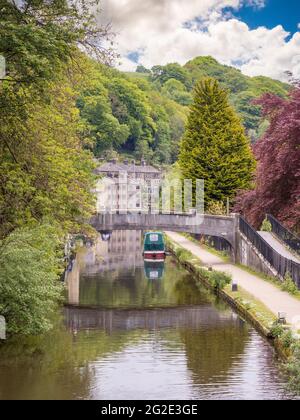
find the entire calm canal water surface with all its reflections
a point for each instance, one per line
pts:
(140, 331)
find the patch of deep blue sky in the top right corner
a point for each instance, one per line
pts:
(275, 12)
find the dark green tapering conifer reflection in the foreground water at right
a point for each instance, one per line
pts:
(211, 352)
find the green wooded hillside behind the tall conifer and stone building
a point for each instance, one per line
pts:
(143, 114)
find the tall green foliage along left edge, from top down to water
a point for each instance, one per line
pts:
(45, 171)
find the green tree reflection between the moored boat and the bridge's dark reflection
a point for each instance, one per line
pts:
(133, 289)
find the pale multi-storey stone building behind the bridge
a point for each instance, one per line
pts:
(127, 186)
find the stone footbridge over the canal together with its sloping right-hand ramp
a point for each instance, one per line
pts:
(248, 246)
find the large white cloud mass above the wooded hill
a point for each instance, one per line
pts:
(165, 31)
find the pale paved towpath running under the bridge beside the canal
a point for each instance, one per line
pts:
(275, 299)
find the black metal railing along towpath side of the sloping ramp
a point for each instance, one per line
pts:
(281, 264)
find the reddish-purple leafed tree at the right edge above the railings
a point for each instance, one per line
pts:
(277, 189)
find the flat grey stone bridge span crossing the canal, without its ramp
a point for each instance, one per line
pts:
(221, 226)
